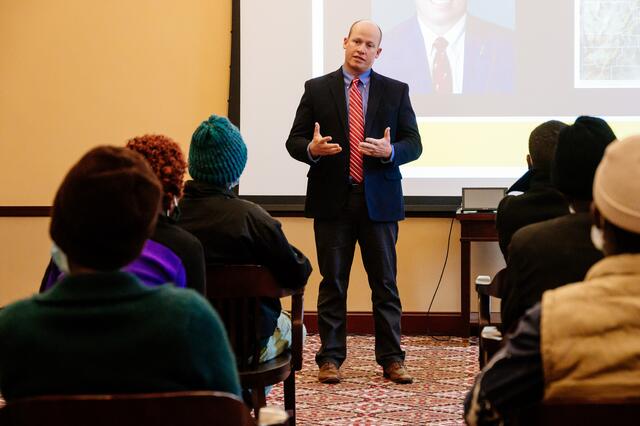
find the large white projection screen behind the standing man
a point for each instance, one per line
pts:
(523, 62)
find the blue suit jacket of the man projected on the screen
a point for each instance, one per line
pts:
(488, 57)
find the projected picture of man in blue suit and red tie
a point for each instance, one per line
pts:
(443, 49)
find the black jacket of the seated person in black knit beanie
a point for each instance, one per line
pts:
(543, 256)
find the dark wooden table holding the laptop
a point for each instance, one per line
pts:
(473, 227)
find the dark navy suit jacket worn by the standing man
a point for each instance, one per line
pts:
(324, 102)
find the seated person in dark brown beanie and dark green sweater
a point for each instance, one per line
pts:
(100, 330)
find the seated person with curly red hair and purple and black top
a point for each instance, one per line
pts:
(170, 255)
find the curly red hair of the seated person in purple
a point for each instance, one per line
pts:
(167, 161)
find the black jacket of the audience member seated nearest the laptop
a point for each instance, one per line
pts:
(541, 202)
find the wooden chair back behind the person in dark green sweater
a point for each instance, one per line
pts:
(194, 408)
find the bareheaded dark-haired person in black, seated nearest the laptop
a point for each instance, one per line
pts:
(541, 200)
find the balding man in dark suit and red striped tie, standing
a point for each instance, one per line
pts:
(354, 128)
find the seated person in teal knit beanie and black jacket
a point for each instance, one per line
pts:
(237, 231)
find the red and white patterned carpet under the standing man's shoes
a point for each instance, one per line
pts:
(443, 371)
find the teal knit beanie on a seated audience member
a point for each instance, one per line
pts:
(217, 153)
